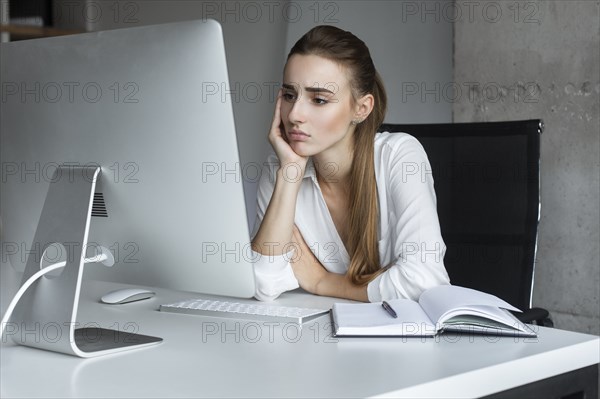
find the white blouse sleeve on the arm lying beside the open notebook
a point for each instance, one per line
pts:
(418, 257)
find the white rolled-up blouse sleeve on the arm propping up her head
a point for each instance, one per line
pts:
(273, 275)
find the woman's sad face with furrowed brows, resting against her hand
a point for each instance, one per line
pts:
(317, 107)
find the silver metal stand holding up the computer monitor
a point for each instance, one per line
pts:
(45, 317)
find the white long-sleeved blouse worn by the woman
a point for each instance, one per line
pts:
(409, 230)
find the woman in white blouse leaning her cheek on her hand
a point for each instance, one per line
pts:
(343, 211)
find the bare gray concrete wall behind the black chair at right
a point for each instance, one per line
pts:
(540, 59)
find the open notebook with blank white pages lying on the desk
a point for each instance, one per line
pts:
(439, 309)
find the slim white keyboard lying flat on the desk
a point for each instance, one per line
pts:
(248, 311)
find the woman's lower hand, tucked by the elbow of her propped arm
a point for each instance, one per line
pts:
(307, 268)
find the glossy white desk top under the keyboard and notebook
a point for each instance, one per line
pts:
(204, 356)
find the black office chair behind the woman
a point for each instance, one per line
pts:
(488, 196)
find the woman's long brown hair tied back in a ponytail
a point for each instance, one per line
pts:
(349, 51)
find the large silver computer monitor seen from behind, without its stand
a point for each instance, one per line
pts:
(149, 106)
